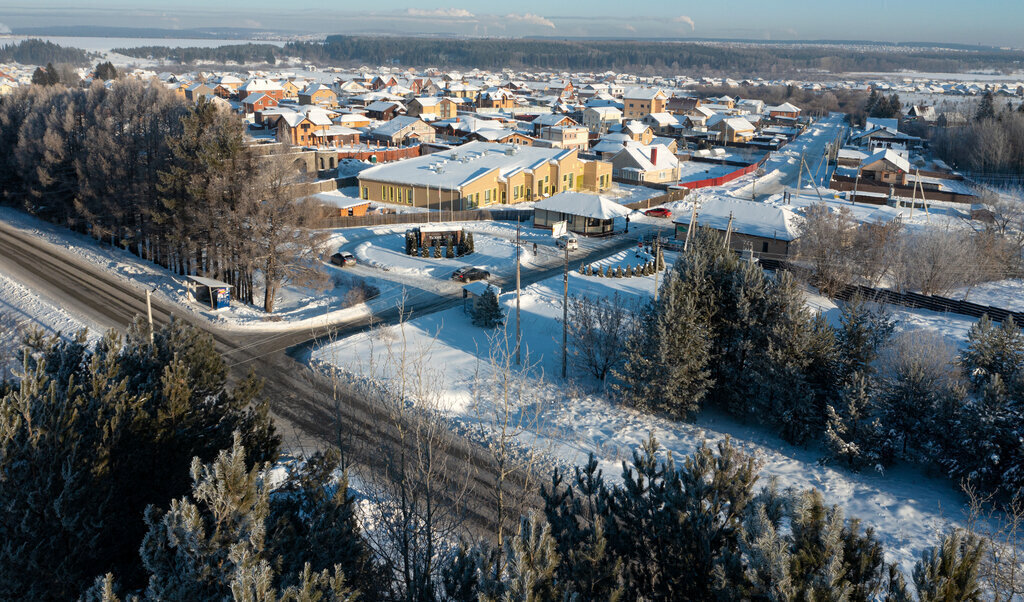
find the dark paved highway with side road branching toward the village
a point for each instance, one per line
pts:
(311, 410)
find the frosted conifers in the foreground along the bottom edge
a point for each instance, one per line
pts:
(133, 471)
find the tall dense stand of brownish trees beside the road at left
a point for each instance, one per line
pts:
(134, 166)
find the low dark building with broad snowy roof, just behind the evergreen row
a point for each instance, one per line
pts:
(765, 230)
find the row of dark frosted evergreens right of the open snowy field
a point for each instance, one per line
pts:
(723, 333)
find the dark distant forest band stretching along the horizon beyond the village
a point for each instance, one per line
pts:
(598, 56)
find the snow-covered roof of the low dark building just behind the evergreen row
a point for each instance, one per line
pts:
(749, 218)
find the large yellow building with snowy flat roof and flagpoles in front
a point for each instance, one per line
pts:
(480, 175)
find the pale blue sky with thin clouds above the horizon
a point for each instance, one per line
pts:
(970, 22)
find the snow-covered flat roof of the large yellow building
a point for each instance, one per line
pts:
(462, 165)
